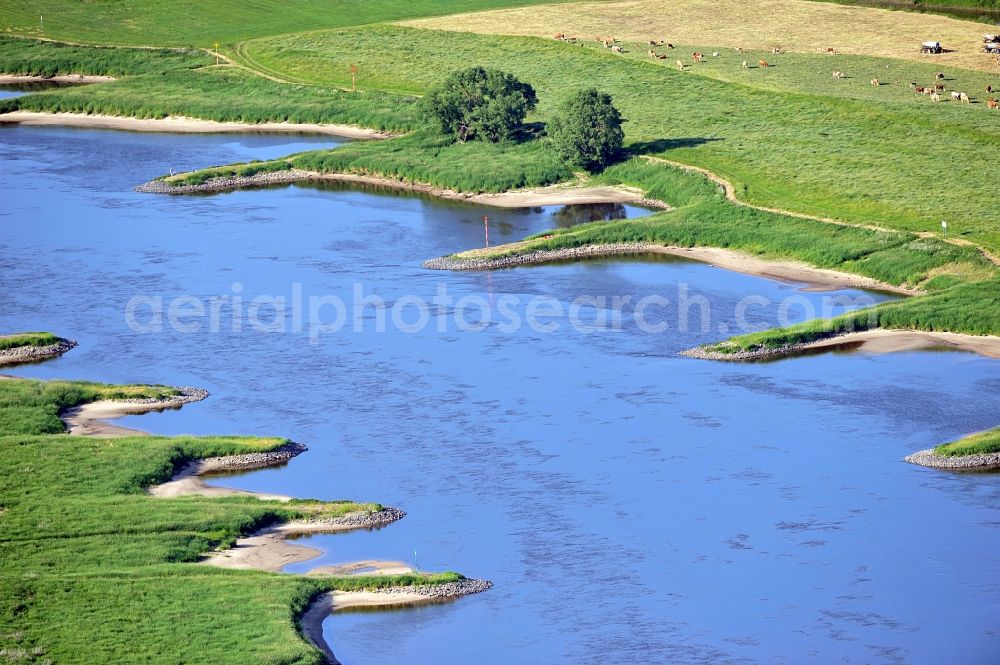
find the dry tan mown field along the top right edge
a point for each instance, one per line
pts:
(799, 26)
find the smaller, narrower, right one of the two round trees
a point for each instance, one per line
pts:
(587, 131)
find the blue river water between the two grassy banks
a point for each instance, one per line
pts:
(630, 504)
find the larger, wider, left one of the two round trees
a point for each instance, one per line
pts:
(481, 103)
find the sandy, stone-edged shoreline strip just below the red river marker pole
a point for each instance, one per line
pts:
(786, 271)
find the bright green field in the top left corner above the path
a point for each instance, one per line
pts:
(193, 23)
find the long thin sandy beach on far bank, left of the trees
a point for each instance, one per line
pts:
(182, 125)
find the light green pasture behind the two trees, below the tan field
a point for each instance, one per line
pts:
(818, 154)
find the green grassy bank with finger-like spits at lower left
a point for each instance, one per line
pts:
(94, 570)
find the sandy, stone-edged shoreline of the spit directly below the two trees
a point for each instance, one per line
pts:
(522, 198)
